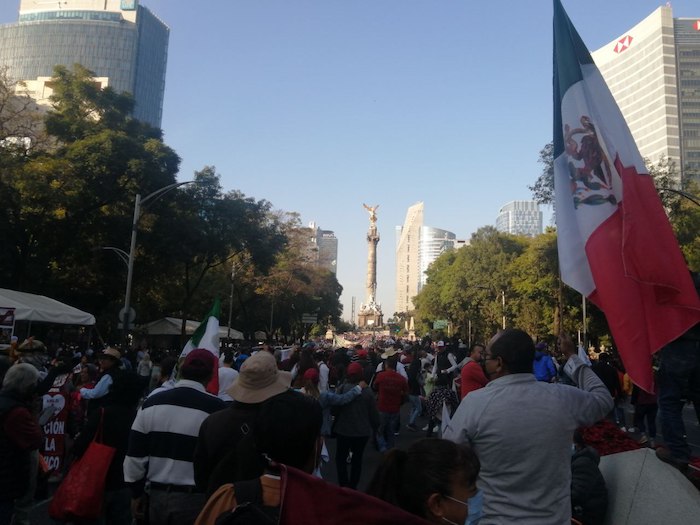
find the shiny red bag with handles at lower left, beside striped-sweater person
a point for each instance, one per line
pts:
(81, 493)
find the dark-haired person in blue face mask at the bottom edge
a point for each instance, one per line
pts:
(434, 479)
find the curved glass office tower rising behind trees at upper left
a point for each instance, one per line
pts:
(122, 42)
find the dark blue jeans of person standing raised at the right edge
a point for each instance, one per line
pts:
(679, 380)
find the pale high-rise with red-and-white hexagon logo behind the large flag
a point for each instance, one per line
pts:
(653, 72)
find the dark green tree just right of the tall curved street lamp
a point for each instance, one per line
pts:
(205, 229)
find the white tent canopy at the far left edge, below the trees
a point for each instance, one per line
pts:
(42, 309)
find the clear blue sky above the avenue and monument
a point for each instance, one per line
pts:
(321, 105)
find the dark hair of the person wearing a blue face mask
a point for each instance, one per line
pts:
(408, 478)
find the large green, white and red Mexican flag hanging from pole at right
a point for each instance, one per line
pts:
(616, 246)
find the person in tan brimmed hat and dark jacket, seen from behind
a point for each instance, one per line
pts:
(215, 460)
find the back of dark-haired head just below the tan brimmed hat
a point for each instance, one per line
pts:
(287, 428)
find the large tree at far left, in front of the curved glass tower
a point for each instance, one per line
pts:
(77, 194)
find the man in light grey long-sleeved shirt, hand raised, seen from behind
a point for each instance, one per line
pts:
(521, 429)
